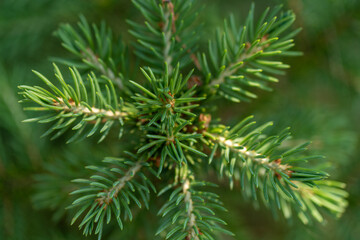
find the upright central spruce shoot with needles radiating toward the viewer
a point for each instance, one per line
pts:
(167, 110)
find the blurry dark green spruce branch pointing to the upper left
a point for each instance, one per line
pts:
(95, 49)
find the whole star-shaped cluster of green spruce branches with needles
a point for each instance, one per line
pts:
(167, 108)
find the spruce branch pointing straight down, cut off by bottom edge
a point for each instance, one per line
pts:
(189, 214)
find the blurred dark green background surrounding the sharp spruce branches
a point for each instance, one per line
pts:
(319, 98)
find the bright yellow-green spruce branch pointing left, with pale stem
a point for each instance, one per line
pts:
(75, 107)
